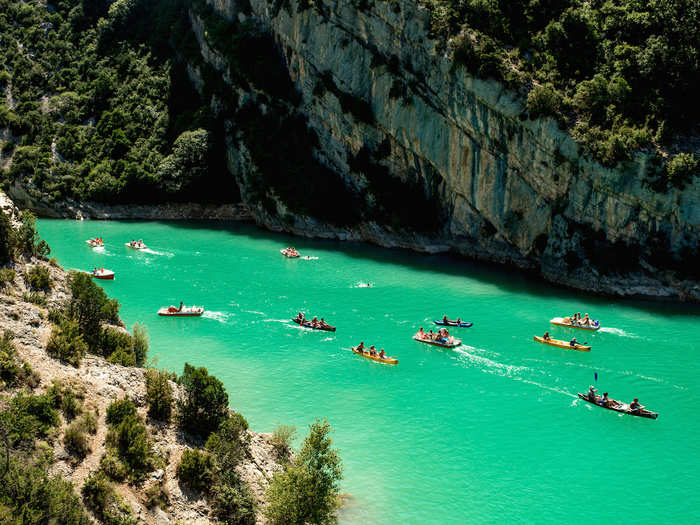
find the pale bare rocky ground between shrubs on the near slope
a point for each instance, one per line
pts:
(99, 383)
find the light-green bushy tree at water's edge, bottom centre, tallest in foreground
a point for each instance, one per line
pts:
(306, 491)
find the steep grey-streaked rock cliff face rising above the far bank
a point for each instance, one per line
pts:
(433, 158)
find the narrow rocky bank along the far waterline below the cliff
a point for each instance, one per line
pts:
(649, 284)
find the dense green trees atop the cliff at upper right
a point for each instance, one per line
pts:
(618, 72)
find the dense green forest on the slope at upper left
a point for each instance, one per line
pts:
(98, 109)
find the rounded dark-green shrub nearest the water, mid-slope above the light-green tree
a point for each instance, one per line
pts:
(205, 402)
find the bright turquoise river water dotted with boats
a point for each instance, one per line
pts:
(488, 433)
